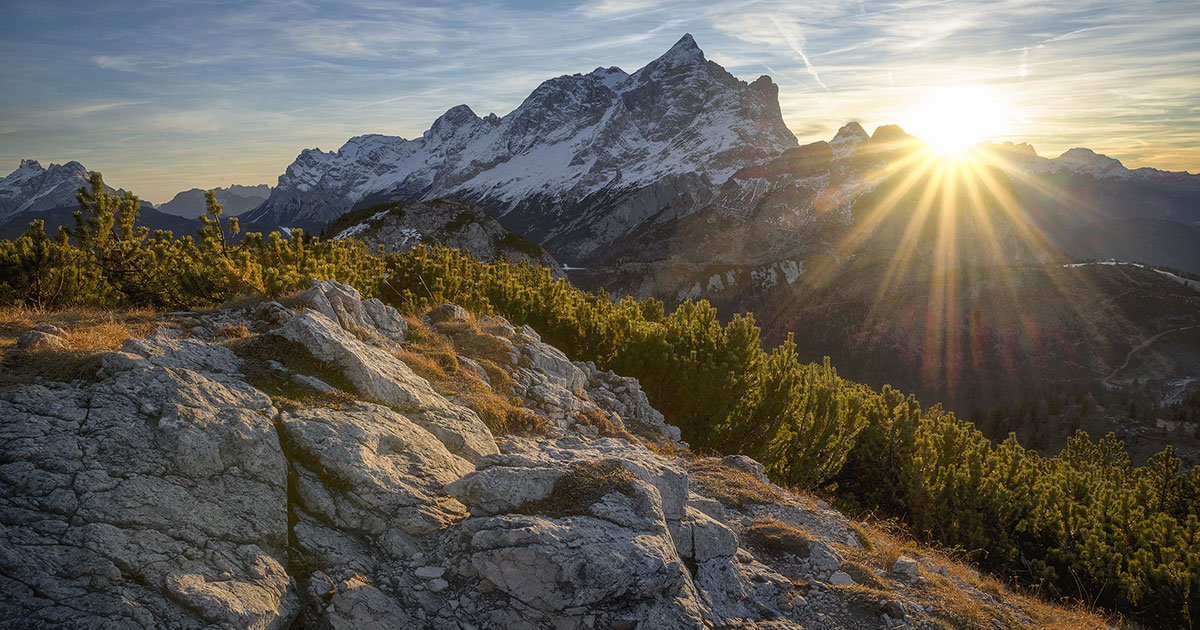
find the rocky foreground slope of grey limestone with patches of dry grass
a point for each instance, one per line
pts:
(287, 466)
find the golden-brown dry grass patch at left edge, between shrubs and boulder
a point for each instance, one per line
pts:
(88, 334)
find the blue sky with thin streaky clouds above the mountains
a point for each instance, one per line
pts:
(164, 97)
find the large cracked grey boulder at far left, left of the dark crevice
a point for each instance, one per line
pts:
(153, 499)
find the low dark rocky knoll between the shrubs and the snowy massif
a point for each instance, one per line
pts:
(401, 226)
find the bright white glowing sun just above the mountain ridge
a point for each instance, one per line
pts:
(956, 119)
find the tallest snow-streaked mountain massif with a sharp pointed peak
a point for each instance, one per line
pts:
(584, 160)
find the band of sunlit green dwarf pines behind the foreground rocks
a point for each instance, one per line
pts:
(1084, 524)
